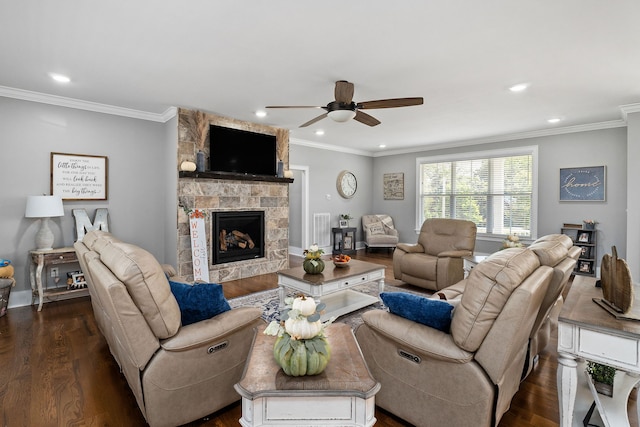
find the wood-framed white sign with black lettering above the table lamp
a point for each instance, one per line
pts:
(78, 176)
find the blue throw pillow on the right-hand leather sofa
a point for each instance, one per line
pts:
(431, 312)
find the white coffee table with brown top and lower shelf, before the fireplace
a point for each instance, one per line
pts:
(332, 286)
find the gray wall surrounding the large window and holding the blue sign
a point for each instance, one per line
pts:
(594, 148)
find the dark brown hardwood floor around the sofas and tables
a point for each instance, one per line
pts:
(56, 369)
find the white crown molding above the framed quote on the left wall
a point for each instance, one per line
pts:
(78, 104)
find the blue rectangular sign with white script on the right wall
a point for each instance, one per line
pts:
(583, 184)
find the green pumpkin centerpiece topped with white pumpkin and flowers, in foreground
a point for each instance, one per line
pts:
(301, 347)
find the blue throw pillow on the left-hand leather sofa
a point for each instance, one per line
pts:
(199, 301)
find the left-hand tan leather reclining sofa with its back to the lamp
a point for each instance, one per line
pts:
(176, 373)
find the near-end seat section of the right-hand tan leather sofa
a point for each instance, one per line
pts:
(467, 376)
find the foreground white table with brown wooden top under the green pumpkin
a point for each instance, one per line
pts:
(342, 395)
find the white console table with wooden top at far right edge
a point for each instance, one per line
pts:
(588, 332)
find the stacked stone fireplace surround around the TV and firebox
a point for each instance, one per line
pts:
(213, 195)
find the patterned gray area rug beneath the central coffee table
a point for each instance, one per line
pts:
(268, 301)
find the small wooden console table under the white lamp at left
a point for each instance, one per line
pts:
(40, 261)
